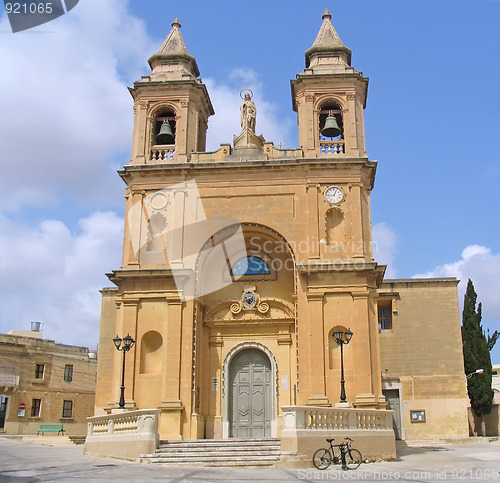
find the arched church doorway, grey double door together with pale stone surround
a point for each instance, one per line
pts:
(249, 398)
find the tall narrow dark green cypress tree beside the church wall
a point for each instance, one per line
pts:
(476, 356)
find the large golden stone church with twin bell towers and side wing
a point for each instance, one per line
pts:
(248, 279)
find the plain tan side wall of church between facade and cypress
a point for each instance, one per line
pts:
(422, 357)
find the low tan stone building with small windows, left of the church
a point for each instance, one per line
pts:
(42, 381)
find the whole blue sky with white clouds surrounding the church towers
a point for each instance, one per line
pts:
(431, 122)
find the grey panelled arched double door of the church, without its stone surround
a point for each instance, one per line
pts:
(250, 395)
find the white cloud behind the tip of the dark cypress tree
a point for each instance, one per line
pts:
(480, 265)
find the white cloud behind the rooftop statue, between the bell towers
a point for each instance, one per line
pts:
(226, 101)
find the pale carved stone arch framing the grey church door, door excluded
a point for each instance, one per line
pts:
(225, 390)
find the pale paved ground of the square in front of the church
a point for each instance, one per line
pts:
(22, 461)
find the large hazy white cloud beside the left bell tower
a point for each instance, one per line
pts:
(66, 111)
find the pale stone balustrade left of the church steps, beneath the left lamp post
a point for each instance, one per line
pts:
(123, 434)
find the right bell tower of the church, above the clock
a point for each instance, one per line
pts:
(329, 97)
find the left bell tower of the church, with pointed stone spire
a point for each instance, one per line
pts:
(171, 106)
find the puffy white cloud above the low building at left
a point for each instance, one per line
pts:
(52, 275)
